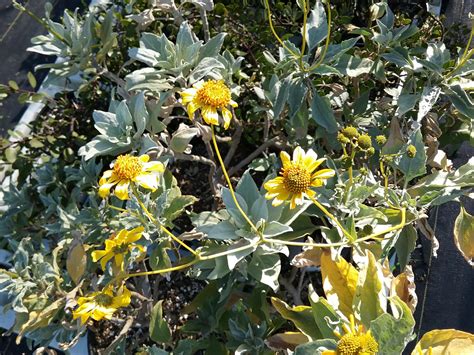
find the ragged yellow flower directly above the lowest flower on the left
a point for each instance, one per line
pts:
(117, 246)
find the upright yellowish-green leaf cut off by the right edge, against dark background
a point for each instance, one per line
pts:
(464, 235)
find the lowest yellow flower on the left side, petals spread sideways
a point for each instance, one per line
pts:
(103, 304)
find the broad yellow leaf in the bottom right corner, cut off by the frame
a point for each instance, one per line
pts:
(445, 342)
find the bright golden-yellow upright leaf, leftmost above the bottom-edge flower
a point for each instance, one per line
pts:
(339, 282)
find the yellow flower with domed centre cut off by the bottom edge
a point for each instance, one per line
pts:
(355, 341)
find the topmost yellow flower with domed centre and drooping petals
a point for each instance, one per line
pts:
(210, 96)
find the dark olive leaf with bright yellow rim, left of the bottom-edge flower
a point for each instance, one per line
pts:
(301, 316)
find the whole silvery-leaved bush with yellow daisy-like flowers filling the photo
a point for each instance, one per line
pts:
(228, 177)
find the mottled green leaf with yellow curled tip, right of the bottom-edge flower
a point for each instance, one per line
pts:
(393, 333)
